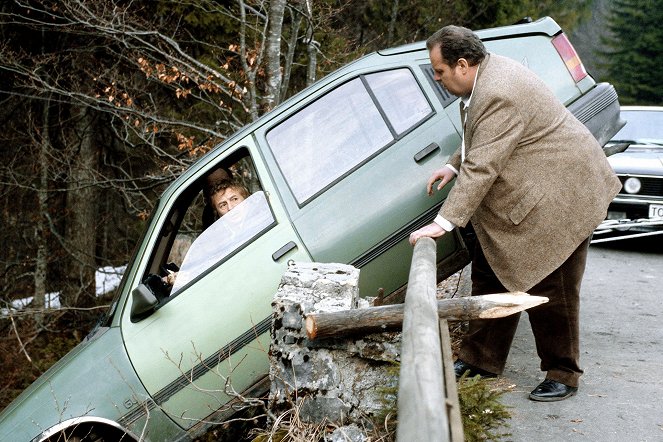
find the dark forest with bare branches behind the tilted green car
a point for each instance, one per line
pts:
(105, 102)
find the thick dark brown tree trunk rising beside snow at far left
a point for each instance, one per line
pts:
(81, 208)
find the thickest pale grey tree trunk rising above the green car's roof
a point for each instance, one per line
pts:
(273, 53)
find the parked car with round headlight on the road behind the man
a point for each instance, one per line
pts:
(639, 205)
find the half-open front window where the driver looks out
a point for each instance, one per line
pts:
(190, 245)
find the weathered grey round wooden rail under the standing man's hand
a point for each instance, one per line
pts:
(422, 408)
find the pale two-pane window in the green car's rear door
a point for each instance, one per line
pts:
(346, 127)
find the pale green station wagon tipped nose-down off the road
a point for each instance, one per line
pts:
(335, 174)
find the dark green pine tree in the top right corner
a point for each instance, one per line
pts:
(634, 50)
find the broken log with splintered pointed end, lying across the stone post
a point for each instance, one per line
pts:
(390, 317)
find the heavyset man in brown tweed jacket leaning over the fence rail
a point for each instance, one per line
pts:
(535, 183)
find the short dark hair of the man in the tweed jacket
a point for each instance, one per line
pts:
(456, 42)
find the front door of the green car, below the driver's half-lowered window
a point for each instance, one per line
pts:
(208, 339)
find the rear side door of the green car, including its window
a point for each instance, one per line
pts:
(356, 159)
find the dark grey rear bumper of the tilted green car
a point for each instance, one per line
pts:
(599, 110)
